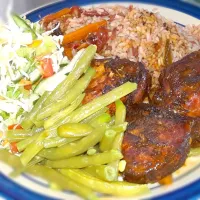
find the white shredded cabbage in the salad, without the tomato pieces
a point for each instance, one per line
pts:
(17, 61)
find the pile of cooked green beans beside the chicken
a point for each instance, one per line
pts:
(73, 146)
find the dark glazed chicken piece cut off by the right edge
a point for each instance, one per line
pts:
(180, 91)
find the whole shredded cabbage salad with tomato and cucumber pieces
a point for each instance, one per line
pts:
(26, 61)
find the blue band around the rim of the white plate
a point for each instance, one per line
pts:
(11, 190)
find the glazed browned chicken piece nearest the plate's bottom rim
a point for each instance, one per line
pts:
(156, 143)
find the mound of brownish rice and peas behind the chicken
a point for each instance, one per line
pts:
(137, 34)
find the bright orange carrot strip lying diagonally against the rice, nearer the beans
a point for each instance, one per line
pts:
(83, 32)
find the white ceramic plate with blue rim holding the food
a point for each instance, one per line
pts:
(186, 180)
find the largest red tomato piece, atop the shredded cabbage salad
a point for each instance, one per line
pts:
(47, 67)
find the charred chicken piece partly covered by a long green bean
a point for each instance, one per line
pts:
(111, 73)
